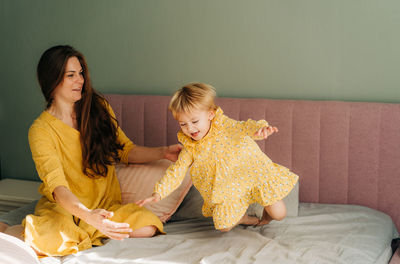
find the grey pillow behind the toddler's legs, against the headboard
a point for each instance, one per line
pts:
(191, 206)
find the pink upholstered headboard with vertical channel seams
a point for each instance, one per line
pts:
(344, 152)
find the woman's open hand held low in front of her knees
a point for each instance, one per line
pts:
(99, 218)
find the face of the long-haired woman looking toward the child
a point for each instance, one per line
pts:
(69, 90)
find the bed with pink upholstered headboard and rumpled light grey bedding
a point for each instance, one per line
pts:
(345, 208)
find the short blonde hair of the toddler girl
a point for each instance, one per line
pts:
(193, 96)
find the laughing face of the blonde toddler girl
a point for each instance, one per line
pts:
(196, 123)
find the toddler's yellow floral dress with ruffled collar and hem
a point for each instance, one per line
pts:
(229, 170)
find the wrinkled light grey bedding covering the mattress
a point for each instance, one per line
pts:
(320, 234)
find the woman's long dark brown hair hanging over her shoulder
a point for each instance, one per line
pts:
(98, 129)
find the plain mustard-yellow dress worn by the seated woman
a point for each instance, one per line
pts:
(57, 154)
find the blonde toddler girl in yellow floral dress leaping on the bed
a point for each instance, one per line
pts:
(227, 166)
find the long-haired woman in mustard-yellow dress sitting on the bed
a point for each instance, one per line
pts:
(75, 143)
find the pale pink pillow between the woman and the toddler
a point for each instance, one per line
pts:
(137, 182)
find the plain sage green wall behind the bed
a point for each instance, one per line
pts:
(310, 49)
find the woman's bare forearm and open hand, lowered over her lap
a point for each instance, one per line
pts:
(98, 218)
